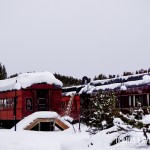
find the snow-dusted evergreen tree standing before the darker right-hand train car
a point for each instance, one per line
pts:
(100, 108)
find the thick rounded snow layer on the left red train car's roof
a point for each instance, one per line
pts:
(25, 80)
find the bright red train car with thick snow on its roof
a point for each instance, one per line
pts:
(33, 92)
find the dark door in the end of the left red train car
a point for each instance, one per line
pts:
(42, 100)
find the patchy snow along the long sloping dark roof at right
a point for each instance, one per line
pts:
(124, 84)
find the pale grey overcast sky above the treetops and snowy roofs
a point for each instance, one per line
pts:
(75, 37)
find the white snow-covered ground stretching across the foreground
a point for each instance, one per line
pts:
(70, 140)
